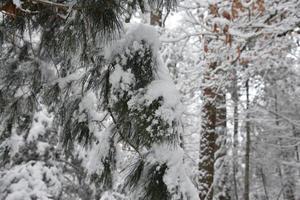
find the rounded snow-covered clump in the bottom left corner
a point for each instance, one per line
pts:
(25, 181)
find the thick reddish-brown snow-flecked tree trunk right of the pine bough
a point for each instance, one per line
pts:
(212, 149)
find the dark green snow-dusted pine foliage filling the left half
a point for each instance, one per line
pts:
(53, 62)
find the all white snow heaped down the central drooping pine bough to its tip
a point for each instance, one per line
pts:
(170, 109)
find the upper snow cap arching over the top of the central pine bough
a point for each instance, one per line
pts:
(162, 86)
